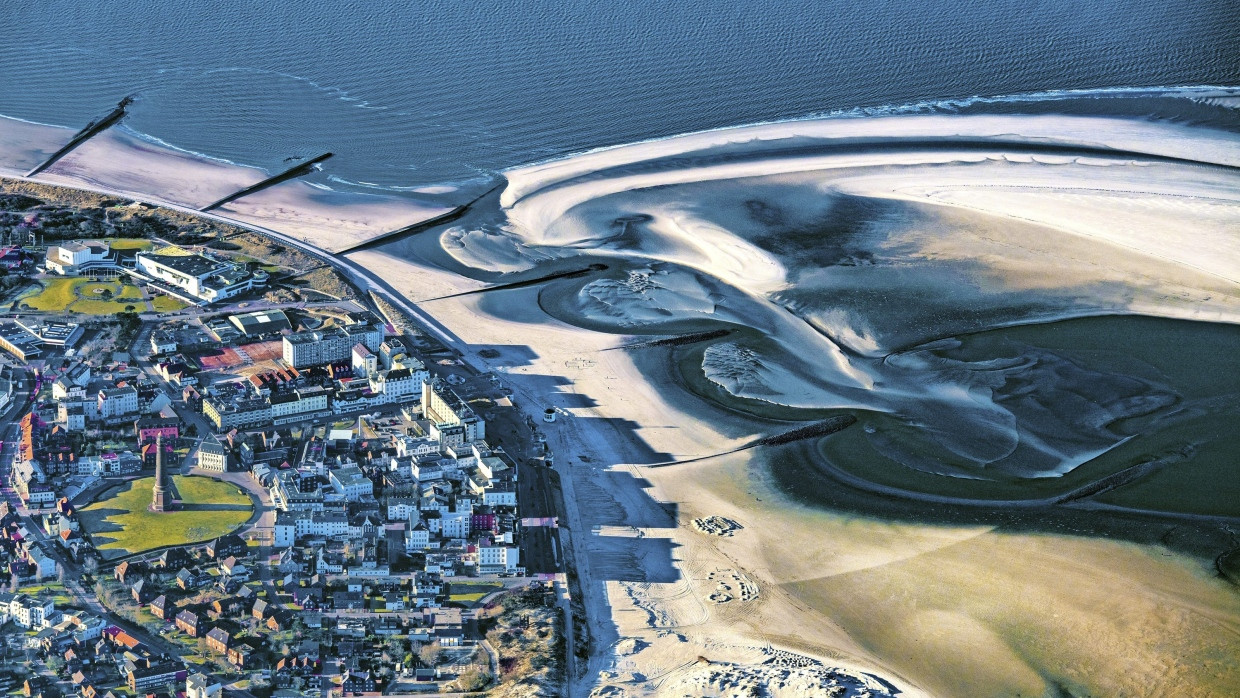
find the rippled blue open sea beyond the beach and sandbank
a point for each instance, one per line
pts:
(417, 94)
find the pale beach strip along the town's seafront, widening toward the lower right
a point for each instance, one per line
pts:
(917, 603)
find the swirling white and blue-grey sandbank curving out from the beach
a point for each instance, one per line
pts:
(849, 257)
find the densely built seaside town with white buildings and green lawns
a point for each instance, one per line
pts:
(229, 473)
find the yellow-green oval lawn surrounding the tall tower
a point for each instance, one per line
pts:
(121, 521)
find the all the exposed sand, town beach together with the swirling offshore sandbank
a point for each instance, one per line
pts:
(836, 254)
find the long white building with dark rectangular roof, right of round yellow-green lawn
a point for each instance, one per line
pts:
(197, 278)
